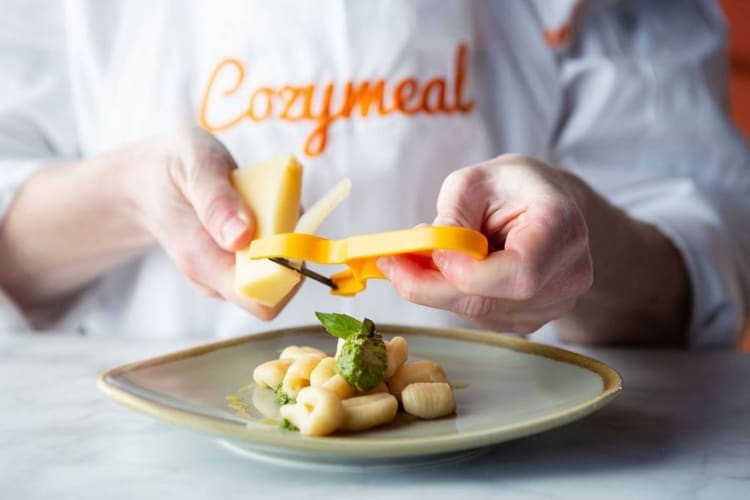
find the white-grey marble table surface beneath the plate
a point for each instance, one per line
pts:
(680, 429)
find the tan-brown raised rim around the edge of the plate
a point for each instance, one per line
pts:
(266, 437)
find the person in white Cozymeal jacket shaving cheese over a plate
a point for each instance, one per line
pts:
(587, 140)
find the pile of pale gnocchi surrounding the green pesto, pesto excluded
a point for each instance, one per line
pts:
(318, 399)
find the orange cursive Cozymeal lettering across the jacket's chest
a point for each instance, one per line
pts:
(324, 104)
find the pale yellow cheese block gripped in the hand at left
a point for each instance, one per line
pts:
(272, 190)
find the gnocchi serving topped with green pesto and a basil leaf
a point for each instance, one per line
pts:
(359, 388)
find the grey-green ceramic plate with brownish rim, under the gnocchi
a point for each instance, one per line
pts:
(506, 388)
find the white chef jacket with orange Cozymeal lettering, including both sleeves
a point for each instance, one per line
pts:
(395, 95)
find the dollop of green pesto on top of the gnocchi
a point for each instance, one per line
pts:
(362, 360)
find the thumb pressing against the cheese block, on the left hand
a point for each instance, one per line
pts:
(221, 210)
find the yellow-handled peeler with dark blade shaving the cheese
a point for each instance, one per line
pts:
(360, 252)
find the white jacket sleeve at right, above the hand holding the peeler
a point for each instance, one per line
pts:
(643, 117)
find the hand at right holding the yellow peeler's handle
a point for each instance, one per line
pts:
(539, 262)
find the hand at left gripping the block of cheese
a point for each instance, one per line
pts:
(178, 186)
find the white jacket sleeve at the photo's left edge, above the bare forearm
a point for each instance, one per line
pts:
(36, 118)
